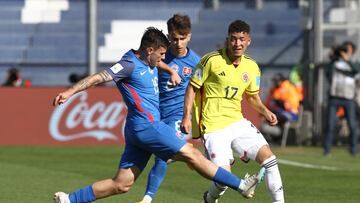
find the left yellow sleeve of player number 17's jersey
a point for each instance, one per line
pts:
(201, 72)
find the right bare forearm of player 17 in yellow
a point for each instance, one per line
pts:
(256, 103)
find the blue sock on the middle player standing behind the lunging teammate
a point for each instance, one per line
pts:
(156, 176)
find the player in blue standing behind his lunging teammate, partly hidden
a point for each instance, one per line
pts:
(179, 61)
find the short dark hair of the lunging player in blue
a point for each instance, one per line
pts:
(154, 38)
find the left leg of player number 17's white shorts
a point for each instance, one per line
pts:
(218, 147)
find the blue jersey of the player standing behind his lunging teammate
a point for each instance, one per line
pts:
(172, 98)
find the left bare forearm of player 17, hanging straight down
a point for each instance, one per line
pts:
(188, 104)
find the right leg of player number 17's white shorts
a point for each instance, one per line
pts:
(247, 139)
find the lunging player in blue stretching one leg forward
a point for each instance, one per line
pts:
(136, 77)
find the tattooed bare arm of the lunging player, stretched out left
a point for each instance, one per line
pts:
(83, 84)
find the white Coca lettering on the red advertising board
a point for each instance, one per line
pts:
(96, 120)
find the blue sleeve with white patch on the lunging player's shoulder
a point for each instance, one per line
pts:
(121, 70)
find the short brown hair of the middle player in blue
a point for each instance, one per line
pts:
(179, 23)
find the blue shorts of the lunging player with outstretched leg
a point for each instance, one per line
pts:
(145, 139)
